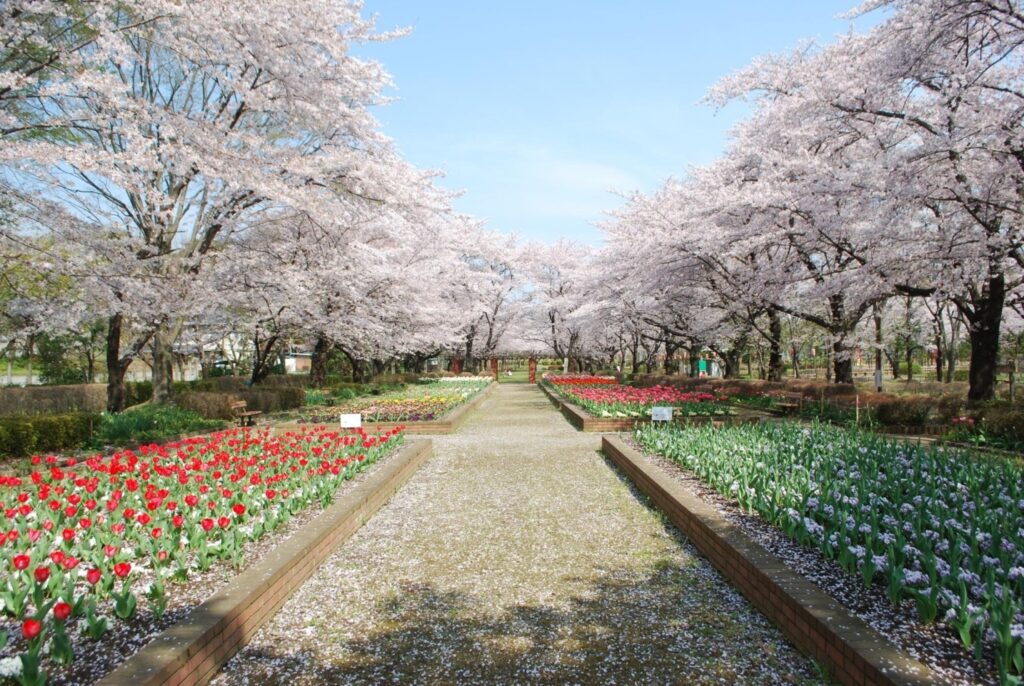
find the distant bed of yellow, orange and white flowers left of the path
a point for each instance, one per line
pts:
(424, 403)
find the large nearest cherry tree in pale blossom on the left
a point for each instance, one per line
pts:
(163, 128)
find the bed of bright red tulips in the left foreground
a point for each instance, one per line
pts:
(109, 543)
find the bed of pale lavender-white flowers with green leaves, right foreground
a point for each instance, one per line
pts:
(943, 531)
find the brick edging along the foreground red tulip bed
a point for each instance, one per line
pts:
(194, 651)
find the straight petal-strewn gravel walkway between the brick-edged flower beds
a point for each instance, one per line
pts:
(518, 555)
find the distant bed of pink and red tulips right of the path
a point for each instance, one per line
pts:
(600, 399)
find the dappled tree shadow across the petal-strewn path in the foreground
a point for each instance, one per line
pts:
(674, 626)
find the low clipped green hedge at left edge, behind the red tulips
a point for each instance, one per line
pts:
(28, 435)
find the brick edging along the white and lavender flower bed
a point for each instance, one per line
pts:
(854, 654)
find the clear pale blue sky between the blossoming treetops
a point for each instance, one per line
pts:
(538, 110)
